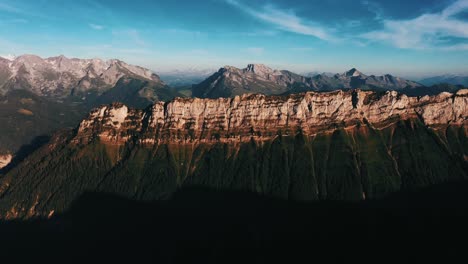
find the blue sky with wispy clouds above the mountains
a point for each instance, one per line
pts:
(410, 38)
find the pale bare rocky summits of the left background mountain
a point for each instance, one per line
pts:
(60, 76)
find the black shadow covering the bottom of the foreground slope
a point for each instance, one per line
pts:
(199, 225)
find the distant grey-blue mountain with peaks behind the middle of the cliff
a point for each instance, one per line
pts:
(257, 78)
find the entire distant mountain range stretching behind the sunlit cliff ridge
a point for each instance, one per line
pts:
(40, 96)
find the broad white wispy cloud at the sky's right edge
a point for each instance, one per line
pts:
(427, 31)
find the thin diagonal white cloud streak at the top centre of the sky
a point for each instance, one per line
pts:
(287, 21)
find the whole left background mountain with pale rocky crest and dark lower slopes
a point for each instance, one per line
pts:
(39, 96)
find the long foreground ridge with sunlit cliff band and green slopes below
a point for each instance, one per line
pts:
(339, 145)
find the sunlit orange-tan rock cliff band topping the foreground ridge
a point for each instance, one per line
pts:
(263, 117)
